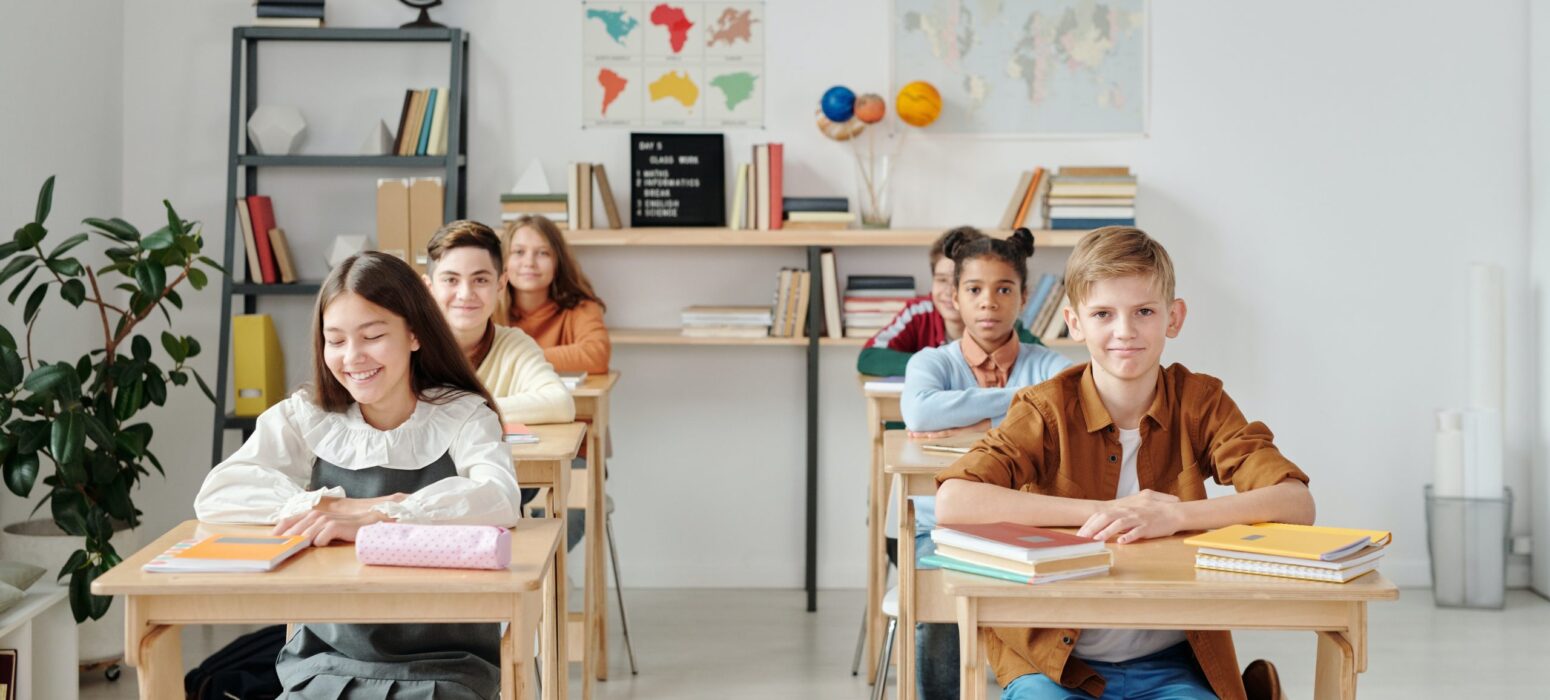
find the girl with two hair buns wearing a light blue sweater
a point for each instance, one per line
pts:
(968, 386)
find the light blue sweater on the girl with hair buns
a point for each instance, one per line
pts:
(942, 393)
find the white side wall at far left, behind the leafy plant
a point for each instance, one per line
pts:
(63, 117)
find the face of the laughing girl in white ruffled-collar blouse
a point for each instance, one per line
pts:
(368, 351)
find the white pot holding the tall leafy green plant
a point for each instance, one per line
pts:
(44, 544)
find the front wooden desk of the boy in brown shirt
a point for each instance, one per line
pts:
(1156, 586)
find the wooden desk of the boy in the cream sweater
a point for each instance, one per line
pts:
(546, 464)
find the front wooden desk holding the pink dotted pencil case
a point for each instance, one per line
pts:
(326, 585)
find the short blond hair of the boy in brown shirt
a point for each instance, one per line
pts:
(1118, 252)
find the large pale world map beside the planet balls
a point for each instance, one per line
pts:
(1028, 69)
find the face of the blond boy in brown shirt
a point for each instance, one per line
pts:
(1125, 323)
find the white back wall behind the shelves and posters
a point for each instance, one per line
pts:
(1321, 176)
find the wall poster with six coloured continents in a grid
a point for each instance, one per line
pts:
(673, 64)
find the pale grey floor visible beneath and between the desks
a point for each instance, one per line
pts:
(762, 645)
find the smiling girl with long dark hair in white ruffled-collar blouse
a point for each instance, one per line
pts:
(394, 427)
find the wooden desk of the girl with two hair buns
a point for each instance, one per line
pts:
(921, 597)
